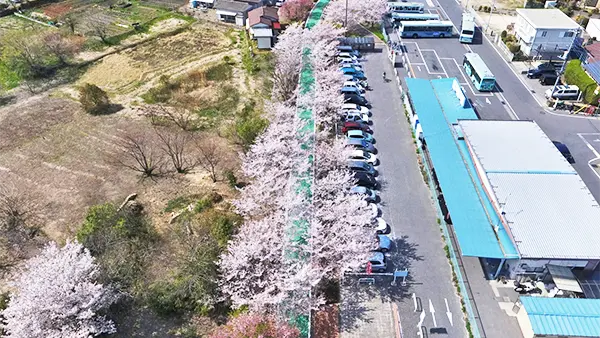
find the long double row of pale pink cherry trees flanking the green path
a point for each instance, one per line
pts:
(261, 268)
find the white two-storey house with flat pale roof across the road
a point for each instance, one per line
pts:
(544, 33)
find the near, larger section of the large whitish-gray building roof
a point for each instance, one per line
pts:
(550, 216)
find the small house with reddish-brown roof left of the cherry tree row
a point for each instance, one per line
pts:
(263, 26)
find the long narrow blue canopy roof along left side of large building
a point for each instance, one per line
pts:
(438, 108)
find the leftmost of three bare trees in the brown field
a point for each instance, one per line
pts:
(140, 153)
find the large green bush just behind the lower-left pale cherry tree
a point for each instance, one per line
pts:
(120, 240)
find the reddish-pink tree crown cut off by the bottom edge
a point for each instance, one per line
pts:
(255, 326)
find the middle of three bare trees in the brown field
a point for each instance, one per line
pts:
(176, 146)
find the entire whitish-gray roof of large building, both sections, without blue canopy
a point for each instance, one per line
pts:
(549, 210)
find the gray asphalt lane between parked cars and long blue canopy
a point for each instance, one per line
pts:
(407, 206)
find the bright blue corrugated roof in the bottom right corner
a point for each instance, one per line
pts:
(563, 316)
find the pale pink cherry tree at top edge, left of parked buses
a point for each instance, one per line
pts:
(360, 12)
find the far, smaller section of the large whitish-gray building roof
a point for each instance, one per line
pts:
(513, 146)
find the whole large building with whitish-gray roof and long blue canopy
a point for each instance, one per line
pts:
(509, 195)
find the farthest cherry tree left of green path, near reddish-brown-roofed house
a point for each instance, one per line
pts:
(288, 57)
